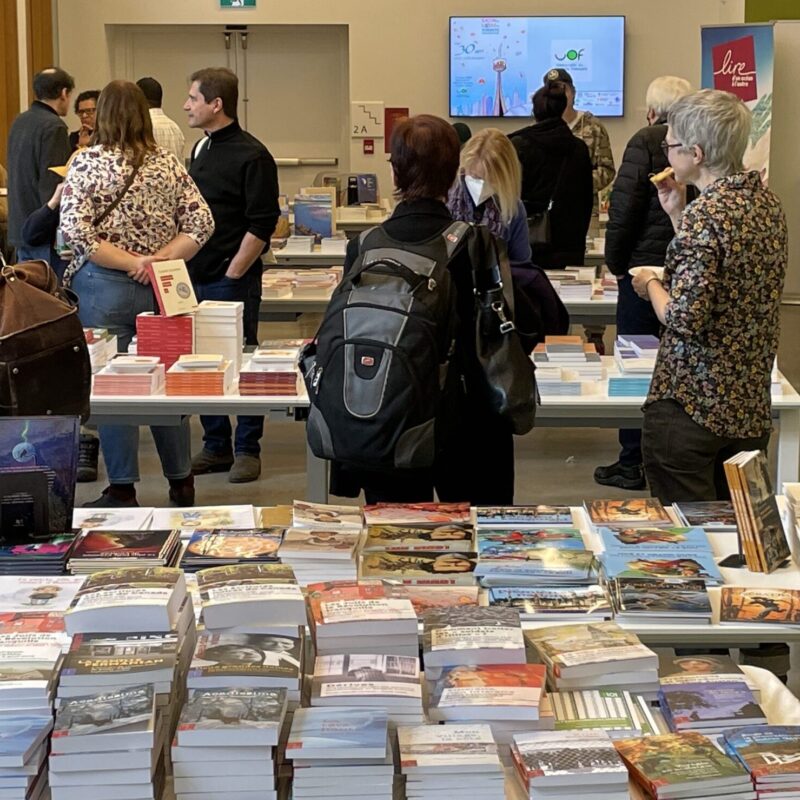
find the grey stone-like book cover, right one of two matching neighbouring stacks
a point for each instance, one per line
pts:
(218, 709)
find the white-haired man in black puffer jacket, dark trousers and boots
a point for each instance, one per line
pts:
(637, 234)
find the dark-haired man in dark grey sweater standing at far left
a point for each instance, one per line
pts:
(38, 140)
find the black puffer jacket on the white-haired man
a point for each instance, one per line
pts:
(638, 230)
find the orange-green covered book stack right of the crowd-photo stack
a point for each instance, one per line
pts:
(683, 765)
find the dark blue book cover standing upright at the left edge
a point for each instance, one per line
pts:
(48, 446)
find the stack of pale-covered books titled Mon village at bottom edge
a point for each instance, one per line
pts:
(439, 761)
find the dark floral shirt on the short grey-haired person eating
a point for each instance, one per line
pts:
(724, 272)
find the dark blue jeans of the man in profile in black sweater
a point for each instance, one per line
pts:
(217, 431)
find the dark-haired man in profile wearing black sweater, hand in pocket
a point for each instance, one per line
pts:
(238, 178)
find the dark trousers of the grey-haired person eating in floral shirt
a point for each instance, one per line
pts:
(683, 461)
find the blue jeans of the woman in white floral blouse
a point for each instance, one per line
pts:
(110, 299)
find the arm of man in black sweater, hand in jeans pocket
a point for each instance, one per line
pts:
(262, 211)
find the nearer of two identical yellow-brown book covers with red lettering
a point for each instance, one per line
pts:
(415, 567)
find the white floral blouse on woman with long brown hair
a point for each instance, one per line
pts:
(162, 202)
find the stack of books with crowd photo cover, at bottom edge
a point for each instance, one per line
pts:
(577, 763)
